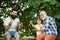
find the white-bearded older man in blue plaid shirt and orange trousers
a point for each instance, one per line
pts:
(50, 28)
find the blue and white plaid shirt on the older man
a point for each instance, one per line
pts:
(49, 26)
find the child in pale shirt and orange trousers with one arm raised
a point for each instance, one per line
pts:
(39, 29)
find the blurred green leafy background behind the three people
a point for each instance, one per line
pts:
(29, 10)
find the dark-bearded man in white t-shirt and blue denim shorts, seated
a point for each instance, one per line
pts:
(11, 25)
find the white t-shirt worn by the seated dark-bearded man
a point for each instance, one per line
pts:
(14, 24)
